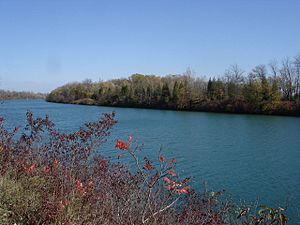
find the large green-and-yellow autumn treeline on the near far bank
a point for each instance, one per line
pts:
(271, 89)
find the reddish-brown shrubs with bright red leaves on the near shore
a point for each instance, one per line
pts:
(48, 177)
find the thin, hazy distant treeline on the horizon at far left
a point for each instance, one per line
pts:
(9, 95)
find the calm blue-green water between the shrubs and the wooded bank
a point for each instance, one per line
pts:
(252, 157)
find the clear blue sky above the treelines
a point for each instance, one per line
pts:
(45, 44)
